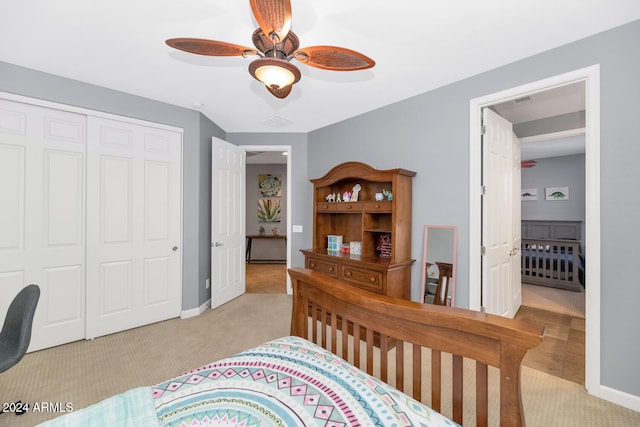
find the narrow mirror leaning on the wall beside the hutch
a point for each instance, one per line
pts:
(439, 264)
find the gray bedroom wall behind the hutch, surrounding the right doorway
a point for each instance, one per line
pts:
(430, 135)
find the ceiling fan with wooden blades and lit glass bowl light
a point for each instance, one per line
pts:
(276, 46)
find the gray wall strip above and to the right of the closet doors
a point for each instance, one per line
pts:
(198, 131)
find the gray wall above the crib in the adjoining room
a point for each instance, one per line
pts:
(565, 171)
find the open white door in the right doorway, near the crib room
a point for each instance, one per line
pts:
(500, 272)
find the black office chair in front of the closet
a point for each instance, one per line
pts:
(16, 331)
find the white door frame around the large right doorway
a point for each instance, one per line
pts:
(591, 77)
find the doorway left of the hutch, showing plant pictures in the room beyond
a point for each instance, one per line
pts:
(268, 218)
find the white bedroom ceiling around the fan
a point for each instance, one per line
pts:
(418, 45)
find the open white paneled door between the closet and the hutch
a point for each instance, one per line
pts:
(228, 275)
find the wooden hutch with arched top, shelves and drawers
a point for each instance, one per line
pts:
(365, 221)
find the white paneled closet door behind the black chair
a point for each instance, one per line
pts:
(42, 211)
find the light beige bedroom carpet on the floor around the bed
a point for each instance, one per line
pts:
(85, 372)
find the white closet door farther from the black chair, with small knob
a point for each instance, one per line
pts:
(133, 226)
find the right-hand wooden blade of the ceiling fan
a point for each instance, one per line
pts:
(333, 58)
